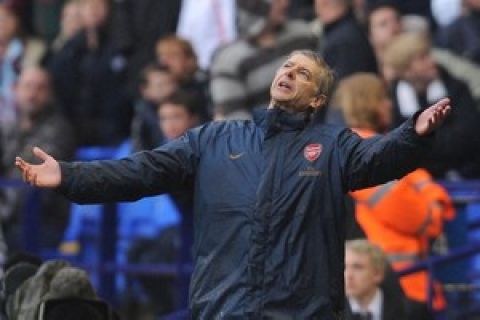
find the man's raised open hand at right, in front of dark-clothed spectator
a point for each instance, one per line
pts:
(432, 117)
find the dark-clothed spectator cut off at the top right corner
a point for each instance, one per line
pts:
(461, 36)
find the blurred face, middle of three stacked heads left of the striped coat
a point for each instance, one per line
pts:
(158, 86)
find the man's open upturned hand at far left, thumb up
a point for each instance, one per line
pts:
(47, 174)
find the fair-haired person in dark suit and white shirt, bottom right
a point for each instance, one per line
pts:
(364, 272)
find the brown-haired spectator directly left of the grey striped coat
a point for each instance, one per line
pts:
(178, 55)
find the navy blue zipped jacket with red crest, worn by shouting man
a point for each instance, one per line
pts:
(268, 210)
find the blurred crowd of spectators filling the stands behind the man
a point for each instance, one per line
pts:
(83, 73)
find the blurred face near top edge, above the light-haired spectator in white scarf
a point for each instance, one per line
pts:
(384, 25)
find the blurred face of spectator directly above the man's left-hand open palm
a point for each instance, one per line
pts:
(33, 92)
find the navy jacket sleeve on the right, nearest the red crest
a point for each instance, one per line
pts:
(369, 162)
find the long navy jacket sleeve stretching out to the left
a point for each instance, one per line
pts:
(165, 169)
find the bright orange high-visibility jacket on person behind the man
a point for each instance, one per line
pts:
(401, 217)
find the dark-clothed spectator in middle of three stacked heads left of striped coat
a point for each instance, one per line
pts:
(156, 84)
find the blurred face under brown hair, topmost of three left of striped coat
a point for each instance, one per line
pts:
(173, 55)
